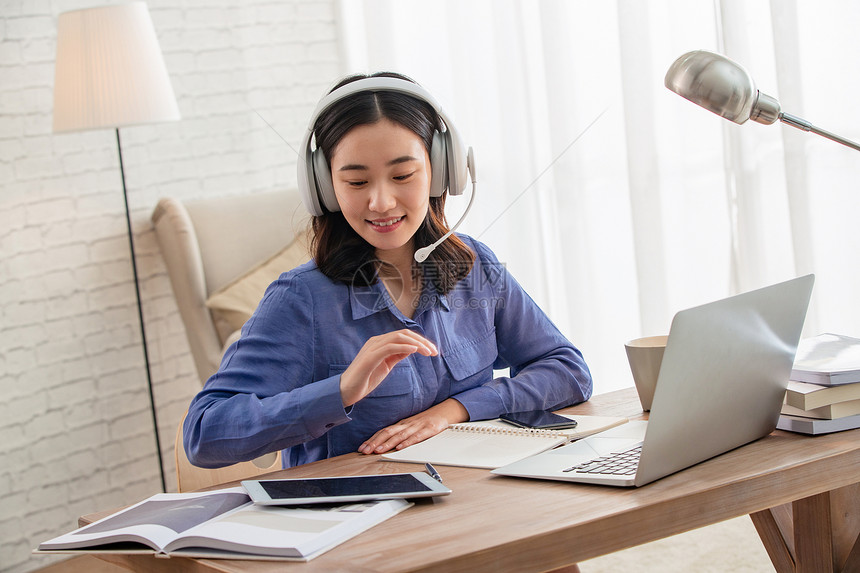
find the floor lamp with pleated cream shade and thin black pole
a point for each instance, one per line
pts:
(110, 74)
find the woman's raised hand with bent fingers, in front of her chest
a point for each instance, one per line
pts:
(376, 359)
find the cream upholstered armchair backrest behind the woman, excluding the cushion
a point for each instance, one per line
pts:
(208, 243)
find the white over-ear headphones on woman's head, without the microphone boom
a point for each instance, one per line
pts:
(449, 159)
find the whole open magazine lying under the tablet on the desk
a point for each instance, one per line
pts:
(224, 523)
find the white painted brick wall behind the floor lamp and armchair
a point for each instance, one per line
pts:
(75, 428)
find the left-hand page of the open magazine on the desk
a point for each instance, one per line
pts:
(153, 522)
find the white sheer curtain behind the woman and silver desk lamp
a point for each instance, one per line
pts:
(614, 201)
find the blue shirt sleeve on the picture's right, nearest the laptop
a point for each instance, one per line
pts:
(546, 371)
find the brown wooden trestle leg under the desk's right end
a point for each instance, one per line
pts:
(820, 533)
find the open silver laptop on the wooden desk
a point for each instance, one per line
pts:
(721, 385)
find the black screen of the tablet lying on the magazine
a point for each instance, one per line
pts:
(342, 486)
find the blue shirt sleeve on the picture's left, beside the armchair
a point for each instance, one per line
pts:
(264, 396)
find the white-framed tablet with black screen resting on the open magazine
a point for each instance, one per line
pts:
(300, 491)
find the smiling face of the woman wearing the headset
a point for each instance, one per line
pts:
(381, 176)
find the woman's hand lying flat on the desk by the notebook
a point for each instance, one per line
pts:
(416, 428)
